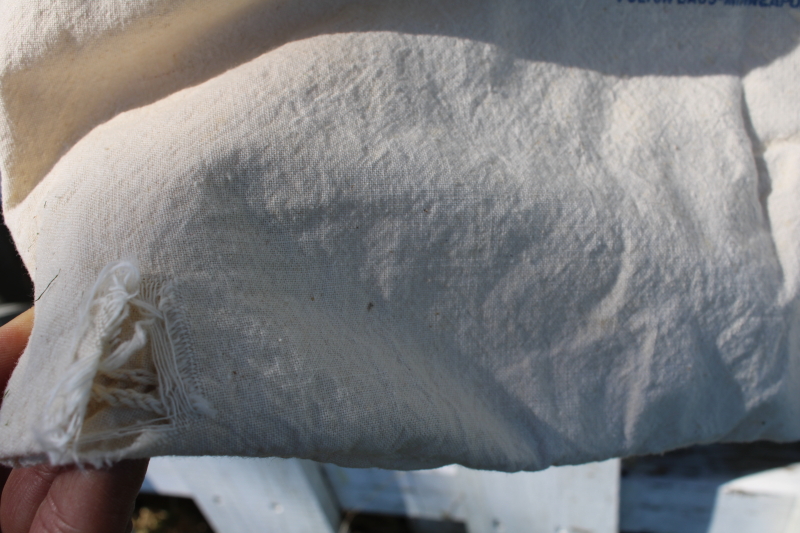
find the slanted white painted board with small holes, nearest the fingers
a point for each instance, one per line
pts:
(244, 495)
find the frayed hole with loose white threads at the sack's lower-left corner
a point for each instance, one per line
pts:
(170, 393)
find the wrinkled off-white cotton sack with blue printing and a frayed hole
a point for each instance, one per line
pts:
(507, 234)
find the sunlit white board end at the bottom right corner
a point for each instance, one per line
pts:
(767, 502)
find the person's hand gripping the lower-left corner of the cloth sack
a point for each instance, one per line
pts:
(61, 499)
